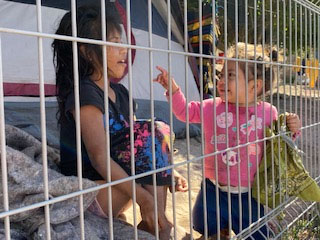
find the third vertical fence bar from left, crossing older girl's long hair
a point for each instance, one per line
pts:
(77, 112)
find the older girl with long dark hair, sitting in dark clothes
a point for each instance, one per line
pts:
(92, 110)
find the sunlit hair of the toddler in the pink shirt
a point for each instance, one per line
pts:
(260, 58)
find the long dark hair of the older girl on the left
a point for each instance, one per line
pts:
(88, 26)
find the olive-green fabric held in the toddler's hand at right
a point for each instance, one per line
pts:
(291, 178)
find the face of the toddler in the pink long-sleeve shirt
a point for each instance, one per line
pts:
(232, 79)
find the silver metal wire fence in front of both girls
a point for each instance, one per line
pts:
(306, 40)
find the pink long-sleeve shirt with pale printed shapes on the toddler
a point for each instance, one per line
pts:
(250, 129)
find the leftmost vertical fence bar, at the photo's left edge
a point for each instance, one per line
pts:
(3, 152)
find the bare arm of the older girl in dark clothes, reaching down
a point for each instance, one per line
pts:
(94, 138)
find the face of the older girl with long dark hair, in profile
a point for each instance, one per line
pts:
(116, 56)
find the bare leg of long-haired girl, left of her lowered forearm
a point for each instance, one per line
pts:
(120, 202)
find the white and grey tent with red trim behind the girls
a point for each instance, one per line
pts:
(20, 52)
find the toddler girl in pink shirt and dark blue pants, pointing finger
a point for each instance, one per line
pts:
(244, 123)
